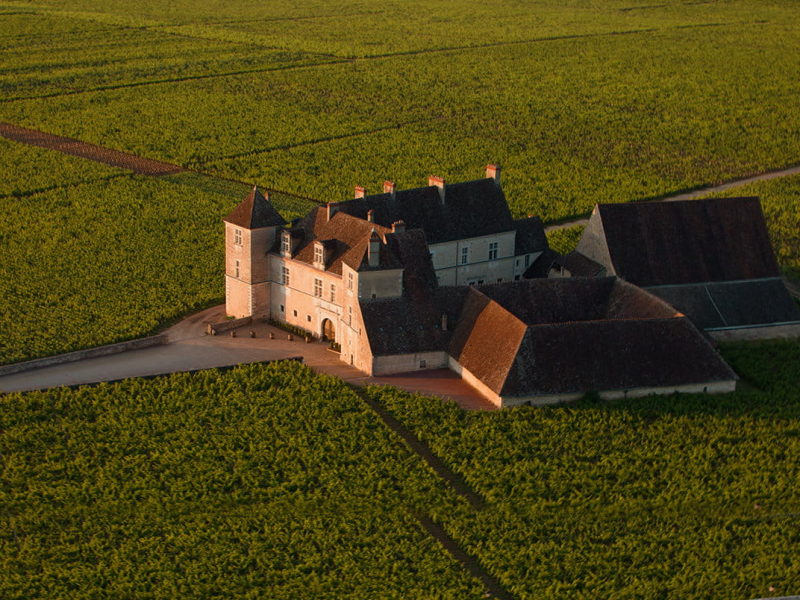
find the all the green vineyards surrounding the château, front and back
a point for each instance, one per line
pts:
(231, 483)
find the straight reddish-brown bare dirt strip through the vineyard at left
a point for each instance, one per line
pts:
(115, 158)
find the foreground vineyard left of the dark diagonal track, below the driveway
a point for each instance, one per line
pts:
(216, 484)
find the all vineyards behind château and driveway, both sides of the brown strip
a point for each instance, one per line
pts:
(580, 102)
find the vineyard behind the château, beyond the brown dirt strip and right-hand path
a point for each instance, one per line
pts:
(603, 102)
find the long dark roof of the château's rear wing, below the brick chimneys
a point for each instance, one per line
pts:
(471, 209)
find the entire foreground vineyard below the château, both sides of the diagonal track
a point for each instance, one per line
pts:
(273, 480)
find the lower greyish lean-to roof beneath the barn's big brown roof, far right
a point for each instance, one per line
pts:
(733, 303)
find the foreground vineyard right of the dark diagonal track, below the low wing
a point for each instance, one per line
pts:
(682, 496)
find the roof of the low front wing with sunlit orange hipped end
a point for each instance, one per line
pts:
(557, 336)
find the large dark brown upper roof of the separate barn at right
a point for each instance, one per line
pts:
(692, 241)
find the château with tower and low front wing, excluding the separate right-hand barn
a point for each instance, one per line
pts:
(432, 277)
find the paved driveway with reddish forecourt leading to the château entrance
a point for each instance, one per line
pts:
(191, 349)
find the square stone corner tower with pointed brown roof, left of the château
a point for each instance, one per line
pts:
(250, 231)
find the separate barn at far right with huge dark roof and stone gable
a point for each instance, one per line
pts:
(711, 259)
